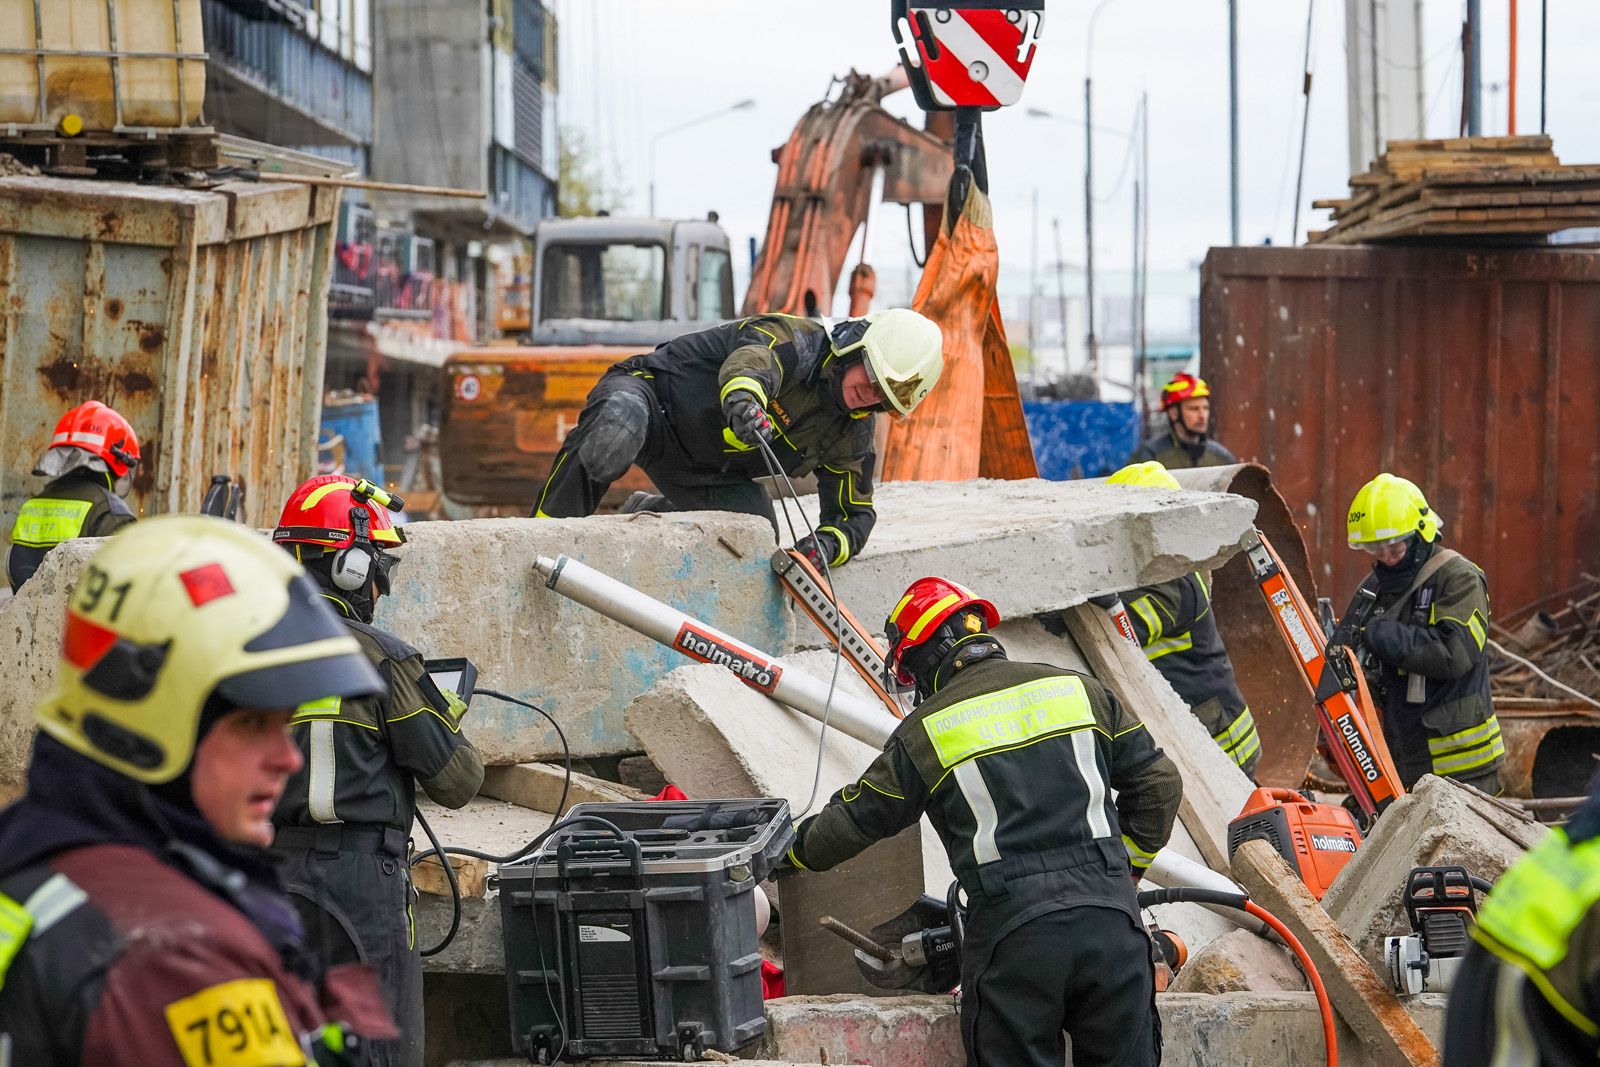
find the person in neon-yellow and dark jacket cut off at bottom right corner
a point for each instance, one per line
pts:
(1529, 991)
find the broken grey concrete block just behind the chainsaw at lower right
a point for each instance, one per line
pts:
(1439, 823)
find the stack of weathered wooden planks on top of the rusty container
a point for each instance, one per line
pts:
(1465, 188)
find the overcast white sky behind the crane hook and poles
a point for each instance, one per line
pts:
(636, 68)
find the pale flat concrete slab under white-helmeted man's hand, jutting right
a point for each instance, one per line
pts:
(1036, 546)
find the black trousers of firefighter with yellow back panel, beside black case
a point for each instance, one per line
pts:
(1084, 972)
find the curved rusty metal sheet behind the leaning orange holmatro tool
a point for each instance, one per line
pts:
(1263, 666)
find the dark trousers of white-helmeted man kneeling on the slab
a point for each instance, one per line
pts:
(623, 425)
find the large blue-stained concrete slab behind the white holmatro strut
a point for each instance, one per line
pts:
(470, 589)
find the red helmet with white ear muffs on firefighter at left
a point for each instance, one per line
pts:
(348, 518)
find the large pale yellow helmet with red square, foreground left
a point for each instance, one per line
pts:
(178, 610)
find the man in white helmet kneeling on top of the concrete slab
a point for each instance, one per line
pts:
(692, 415)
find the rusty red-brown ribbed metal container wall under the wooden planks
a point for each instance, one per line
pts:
(1471, 372)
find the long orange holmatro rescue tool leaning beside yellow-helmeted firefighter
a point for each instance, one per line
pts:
(1345, 708)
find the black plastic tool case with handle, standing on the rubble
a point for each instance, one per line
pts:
(644, 946)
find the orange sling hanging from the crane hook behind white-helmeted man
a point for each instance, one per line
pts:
(972, 425)
